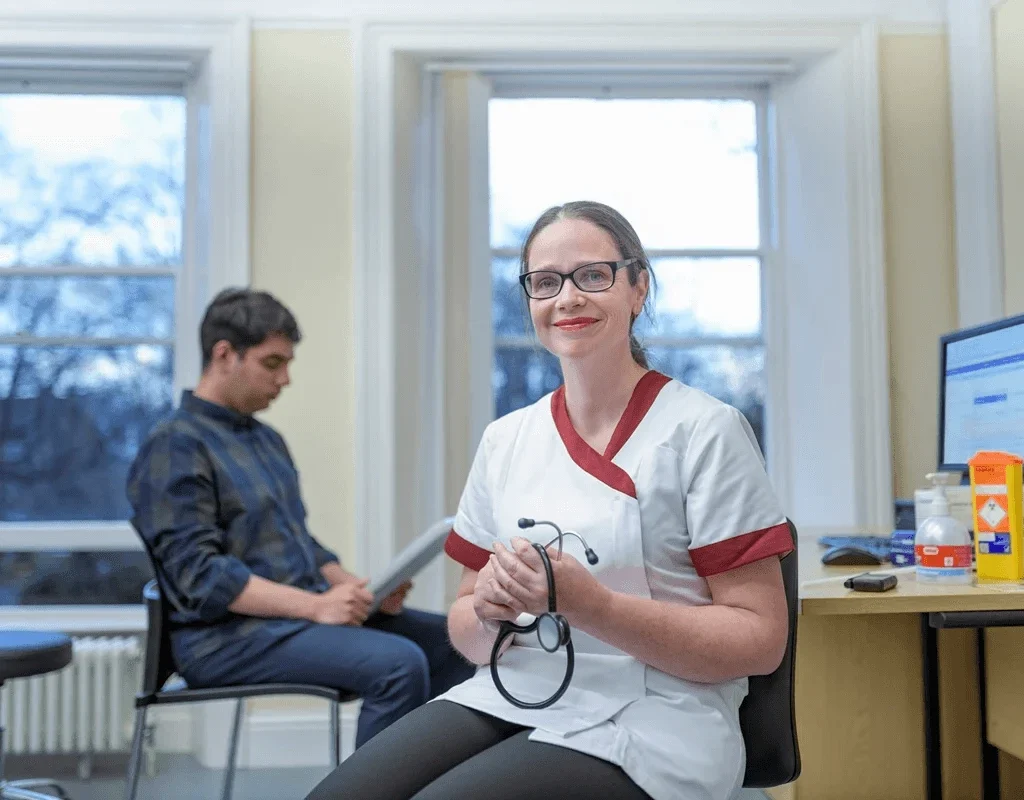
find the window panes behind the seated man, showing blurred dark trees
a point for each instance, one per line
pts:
(92, 222)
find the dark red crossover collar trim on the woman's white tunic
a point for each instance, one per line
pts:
(588, 459)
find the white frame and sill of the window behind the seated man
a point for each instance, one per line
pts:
(208, 64)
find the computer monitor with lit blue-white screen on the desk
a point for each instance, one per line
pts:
(982, 392)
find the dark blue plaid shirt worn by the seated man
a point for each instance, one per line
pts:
(217, 498)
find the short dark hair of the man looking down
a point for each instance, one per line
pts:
(245, 318)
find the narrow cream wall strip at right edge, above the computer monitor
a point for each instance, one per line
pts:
(1009, 23)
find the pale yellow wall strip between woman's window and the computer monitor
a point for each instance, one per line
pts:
(920, 245)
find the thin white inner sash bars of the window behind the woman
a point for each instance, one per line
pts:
(529, 86)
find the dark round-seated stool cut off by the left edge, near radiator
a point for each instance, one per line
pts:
(23, 655)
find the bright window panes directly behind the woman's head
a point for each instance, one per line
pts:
(686, 172)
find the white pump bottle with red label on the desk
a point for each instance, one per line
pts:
(943, 545)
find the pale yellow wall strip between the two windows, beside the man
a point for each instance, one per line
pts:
(302, 252)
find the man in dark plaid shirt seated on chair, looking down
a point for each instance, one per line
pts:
(253, 598)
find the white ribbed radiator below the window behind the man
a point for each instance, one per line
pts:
(84, 709)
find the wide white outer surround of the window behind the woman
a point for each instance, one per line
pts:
(833, 469)
